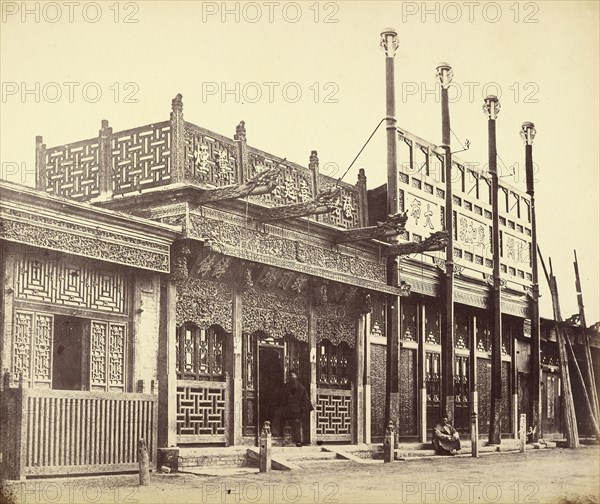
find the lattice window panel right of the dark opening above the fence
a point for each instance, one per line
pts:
(108, 345)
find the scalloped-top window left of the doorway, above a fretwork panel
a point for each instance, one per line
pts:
(200, 354)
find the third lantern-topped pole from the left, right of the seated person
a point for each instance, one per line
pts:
(491, 107)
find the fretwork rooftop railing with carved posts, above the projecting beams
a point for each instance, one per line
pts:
(128, 162)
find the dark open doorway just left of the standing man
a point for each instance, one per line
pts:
(270, 381)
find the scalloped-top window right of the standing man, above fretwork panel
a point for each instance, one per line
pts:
(334, 365)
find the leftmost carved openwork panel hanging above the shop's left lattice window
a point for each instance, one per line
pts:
(204, 302)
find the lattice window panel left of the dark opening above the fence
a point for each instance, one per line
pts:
(32, 347)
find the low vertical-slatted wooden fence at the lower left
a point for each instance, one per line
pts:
(53, 432)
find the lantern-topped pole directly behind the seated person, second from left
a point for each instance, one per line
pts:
(444, 74)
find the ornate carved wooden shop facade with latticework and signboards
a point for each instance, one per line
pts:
(171, 254)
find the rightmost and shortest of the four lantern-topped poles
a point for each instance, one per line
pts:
(528, 134)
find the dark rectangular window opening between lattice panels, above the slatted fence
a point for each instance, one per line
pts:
(68, 353)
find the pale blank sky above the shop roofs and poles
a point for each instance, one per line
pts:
(546, 71)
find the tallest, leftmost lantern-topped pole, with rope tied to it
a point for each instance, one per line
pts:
(389, 42)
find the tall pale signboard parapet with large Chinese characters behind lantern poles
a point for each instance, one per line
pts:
(422, 190)
